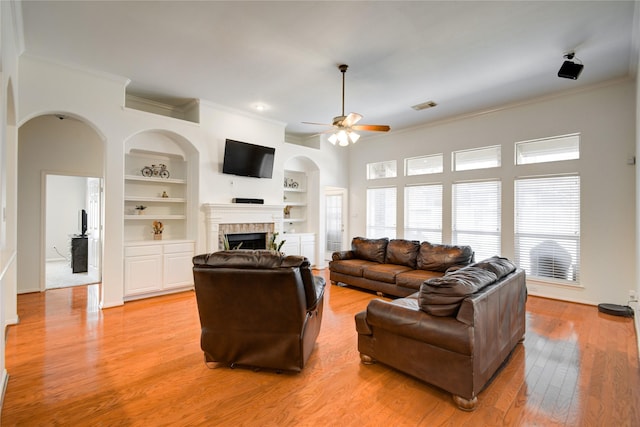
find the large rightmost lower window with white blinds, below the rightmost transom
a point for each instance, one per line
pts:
(547, 226)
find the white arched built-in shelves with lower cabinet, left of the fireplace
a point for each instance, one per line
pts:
(156, 264)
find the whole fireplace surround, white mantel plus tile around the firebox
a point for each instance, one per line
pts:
(224, 219)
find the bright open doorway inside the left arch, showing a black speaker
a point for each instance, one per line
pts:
(72, 230)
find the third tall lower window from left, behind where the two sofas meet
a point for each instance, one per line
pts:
(476, 217)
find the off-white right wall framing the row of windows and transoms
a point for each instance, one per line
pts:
(605, 117)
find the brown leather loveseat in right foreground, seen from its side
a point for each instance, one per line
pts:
(454, 333)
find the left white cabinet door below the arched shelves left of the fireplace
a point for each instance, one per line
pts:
(142, 274)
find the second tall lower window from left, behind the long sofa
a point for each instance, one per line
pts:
(423, 213)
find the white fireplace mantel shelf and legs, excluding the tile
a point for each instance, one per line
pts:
(238, 213)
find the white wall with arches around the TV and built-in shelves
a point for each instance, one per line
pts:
(98, 100)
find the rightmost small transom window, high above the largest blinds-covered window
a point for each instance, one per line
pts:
(548, 149)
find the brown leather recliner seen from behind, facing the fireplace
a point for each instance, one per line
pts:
(258, 308)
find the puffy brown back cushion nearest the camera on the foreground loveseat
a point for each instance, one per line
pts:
(442, 296)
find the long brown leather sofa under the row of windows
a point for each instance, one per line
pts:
(394, 267)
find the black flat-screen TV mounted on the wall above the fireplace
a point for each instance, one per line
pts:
(244, 159)
